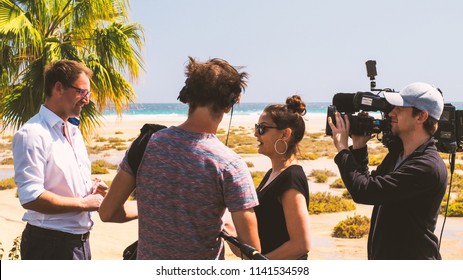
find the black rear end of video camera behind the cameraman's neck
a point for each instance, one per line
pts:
(449, 135)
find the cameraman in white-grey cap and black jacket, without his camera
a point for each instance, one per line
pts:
(408, 186)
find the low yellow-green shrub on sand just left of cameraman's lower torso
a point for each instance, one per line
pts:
(352, 227)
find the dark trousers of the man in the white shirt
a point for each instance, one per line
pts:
(44, 244)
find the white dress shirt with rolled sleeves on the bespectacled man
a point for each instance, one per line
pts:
(45, 160)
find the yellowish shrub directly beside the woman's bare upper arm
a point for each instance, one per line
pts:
(324, 202)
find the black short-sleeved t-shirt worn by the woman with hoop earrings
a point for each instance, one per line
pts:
(270, 215)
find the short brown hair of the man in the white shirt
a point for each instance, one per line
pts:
(64, 71)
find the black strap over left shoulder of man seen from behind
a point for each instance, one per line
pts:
(137, 149)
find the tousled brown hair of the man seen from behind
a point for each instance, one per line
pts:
(214, 83)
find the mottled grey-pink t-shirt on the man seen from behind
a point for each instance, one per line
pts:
(184, 183)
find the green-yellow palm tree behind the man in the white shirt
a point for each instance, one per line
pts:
(95, 32)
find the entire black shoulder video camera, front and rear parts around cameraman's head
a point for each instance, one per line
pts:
(448, 137)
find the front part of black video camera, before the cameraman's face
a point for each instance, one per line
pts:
(362, 102)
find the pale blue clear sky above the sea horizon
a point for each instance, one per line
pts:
(311, 48)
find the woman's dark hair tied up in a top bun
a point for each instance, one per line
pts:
(290, 116)
